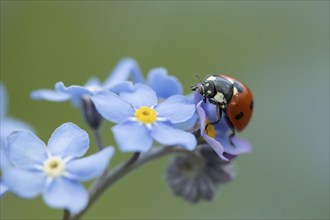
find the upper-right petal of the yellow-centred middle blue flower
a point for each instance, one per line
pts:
(177, 109)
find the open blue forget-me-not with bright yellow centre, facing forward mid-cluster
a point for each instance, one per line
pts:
(140, 119)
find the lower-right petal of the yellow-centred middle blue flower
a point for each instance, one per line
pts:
(167, 135)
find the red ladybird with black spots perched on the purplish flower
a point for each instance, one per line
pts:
(231, 97)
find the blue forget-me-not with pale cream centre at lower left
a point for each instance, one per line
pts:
(54, 171)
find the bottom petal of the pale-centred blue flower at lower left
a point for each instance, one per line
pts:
(66, 194)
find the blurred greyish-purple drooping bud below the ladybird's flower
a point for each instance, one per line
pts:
(198, 180)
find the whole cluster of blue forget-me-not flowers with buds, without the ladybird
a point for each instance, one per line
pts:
(147, 114)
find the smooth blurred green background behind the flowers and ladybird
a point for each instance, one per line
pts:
(280, 49)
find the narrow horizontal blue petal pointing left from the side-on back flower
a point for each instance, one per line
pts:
(50, 95)
